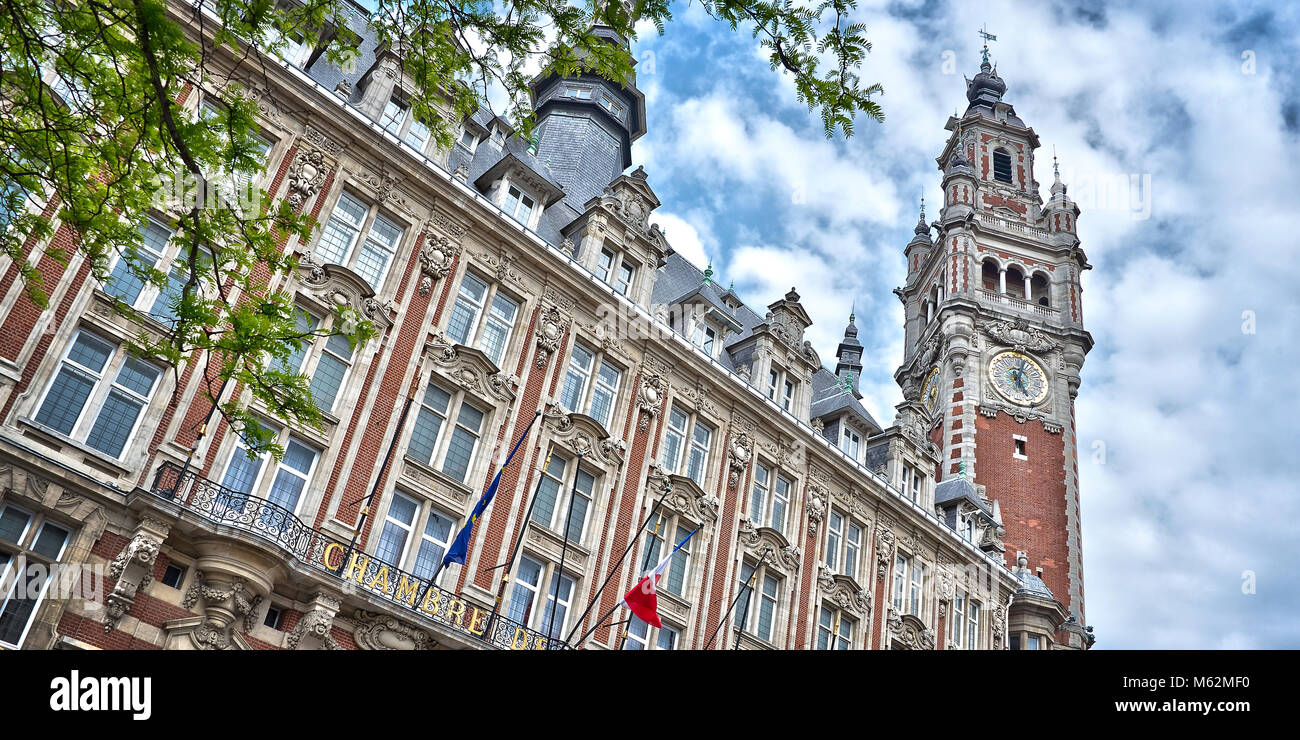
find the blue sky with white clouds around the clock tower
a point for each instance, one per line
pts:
(1188, 478)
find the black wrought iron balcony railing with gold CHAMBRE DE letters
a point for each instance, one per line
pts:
(343, 561)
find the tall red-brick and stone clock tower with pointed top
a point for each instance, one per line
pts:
(995, 340)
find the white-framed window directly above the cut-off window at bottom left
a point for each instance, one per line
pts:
(98, 395)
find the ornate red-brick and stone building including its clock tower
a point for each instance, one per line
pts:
(509, 282)
